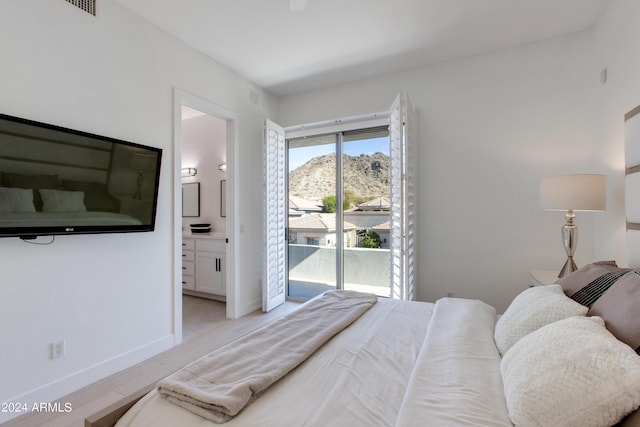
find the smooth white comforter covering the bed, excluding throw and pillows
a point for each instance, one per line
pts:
(380, 371)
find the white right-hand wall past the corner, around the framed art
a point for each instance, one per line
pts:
(616, 47)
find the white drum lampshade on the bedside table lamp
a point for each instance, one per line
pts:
(585, 192)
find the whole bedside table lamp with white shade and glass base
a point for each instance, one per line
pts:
(573, 193)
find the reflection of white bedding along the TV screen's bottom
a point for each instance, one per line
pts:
(55, 219)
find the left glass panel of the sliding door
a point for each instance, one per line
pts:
(312, 216)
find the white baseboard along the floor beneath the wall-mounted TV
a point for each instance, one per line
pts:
(64, 386)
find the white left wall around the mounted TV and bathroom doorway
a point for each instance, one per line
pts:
(113, 75)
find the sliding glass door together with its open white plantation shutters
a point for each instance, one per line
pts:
(340, 206)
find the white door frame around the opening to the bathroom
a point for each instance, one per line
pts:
(182, 98)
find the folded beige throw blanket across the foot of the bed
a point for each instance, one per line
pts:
(219, 385)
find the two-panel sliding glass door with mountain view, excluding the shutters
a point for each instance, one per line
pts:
(339, 212)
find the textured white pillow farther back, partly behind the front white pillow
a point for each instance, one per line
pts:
(532, 309)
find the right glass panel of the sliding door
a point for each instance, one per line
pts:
(366, 257)
